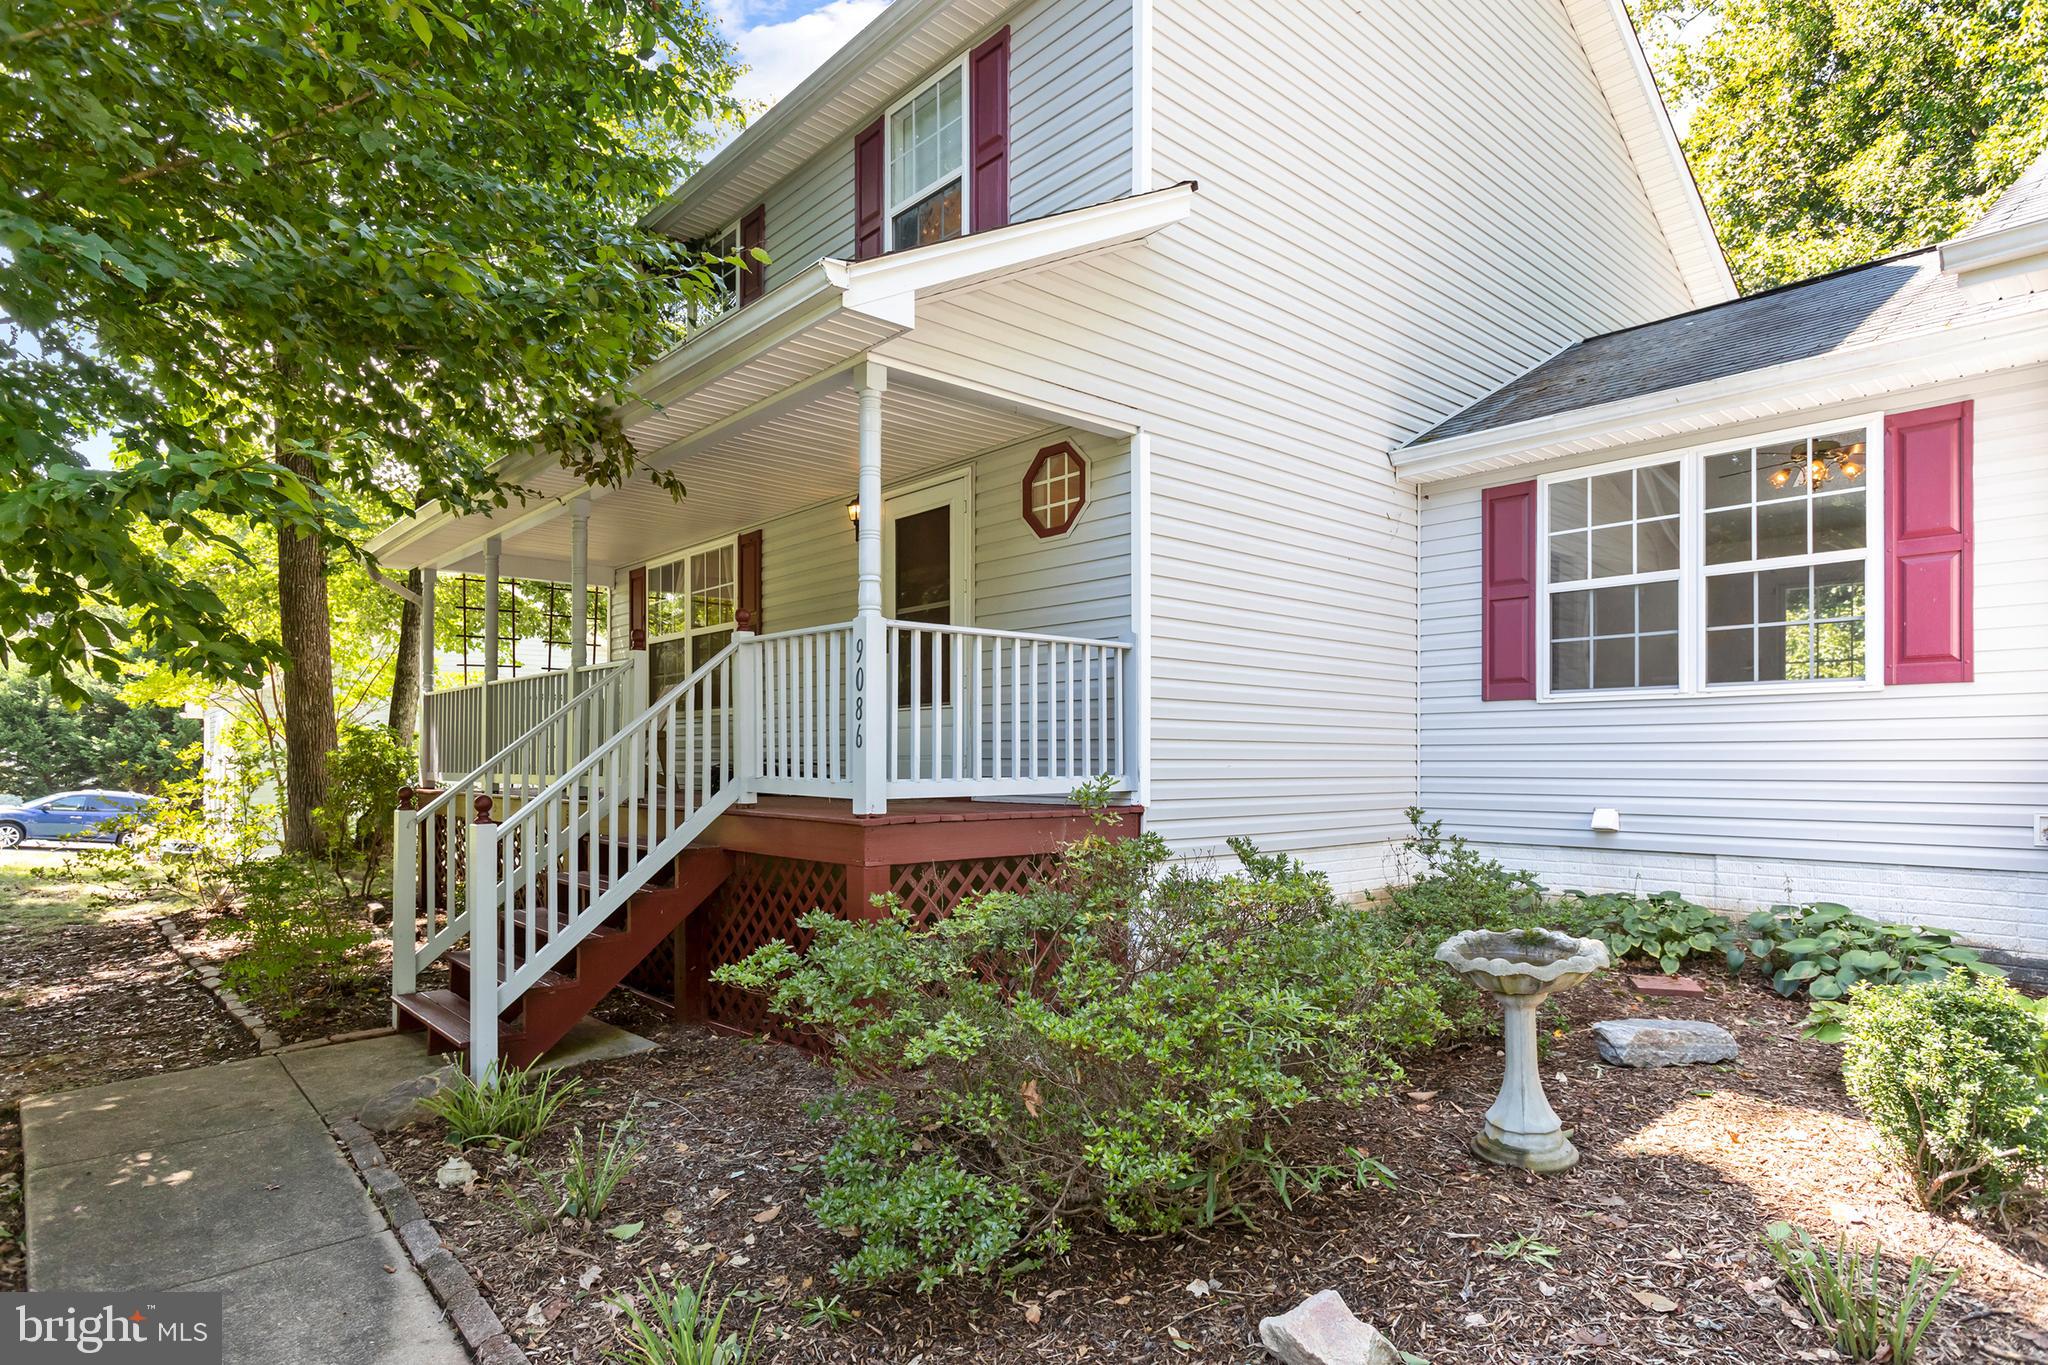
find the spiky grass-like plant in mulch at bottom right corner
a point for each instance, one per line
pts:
(1846, 1296)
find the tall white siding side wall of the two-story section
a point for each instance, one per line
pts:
(1486, 218)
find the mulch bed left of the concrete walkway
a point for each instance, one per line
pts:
(91, 1004)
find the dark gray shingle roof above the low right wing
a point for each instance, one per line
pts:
(1854, 308)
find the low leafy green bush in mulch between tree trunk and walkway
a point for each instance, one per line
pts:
(304, 940)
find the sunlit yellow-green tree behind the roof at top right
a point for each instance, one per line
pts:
(1834, 132)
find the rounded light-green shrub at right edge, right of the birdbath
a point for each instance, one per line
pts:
(1953, 1075)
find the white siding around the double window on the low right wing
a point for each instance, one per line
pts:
(1934, 777)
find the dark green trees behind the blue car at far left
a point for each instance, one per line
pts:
(48, 746)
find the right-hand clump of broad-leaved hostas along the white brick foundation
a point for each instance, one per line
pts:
(1828, 949)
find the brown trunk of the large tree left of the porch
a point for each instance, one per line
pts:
(306, 629)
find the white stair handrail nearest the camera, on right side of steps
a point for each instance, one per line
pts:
(542, 846)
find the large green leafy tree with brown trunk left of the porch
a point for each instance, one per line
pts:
(310, 263)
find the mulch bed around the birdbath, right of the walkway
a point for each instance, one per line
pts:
(1656, 1229)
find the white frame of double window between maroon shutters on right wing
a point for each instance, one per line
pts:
(1695, 572)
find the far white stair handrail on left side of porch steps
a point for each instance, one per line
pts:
(595, 689)
